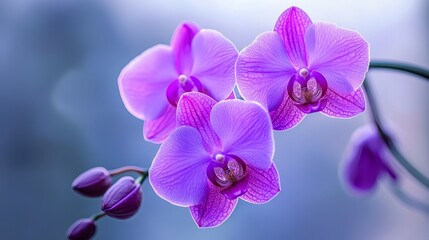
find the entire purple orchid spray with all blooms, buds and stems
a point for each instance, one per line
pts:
(217, 148)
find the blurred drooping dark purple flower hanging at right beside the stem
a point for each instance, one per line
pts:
(366, 161)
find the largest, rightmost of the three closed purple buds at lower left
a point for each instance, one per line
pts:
(123, 198)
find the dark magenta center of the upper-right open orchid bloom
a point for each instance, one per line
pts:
(308, 90)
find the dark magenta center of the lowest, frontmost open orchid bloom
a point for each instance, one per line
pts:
(229, 173)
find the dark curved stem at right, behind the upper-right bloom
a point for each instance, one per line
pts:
(376, 117)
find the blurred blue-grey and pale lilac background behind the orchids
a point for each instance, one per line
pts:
(61, 113)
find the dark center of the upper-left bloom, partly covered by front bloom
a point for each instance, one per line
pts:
(182, 85)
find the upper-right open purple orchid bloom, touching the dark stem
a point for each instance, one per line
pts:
(301, 68)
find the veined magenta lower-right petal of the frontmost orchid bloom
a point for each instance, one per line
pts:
(262, 186)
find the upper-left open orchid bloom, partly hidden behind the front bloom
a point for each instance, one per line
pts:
(196, 61)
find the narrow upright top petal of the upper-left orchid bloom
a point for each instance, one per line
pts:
(181, 44)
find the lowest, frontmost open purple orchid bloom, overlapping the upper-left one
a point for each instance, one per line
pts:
(221, 152)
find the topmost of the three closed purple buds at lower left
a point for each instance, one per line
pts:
(93, 182)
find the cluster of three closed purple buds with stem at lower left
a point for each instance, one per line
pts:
(120, 200)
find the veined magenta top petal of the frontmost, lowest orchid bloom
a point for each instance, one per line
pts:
(194, 110)
